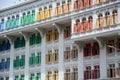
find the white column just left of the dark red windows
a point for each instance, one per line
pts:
(80, 61)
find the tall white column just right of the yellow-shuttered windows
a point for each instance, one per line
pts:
(61, 54)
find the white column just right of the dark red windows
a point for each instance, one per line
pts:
(103, 65)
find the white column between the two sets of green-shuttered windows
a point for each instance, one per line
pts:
(27, 59)
